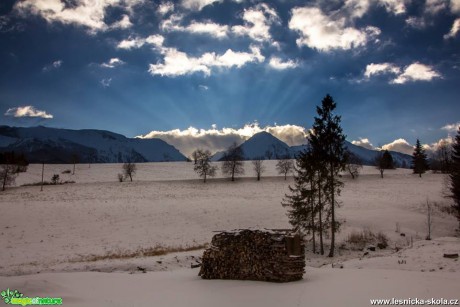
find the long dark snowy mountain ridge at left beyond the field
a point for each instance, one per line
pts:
(53, 145)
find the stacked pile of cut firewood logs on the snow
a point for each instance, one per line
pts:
(264, 255)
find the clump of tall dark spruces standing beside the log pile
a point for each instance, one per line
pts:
(313, 197)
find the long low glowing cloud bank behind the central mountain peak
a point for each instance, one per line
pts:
(220, 139)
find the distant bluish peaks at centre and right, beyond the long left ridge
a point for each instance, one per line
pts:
(266, 146)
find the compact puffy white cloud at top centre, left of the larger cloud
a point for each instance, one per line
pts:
(258, 21)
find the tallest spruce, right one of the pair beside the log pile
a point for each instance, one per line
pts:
(327, 144)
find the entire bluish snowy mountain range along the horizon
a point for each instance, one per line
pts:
(52, 145)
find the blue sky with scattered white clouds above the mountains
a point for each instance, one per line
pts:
(157, 68)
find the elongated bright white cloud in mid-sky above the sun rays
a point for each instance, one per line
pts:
(178, 63)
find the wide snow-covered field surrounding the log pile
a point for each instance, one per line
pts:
(56, 232)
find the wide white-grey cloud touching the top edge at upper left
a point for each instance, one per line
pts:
(89, 14)
